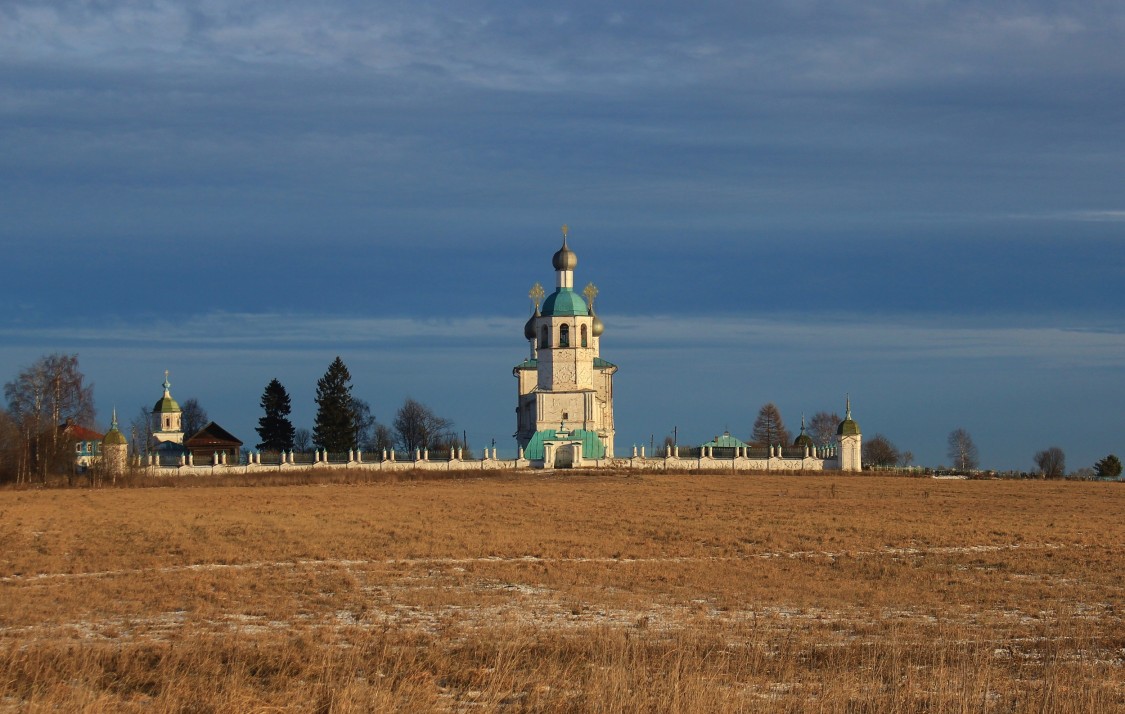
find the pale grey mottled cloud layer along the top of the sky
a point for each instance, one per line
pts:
(589, 48)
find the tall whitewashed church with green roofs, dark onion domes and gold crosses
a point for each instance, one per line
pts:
(565, 403)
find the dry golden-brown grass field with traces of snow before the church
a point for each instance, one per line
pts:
(566, 593)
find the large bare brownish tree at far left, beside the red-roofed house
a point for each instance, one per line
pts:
(44, 396)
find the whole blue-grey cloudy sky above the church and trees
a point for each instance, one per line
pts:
(916, 204)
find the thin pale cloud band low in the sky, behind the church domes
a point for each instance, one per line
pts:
(848, 338)
